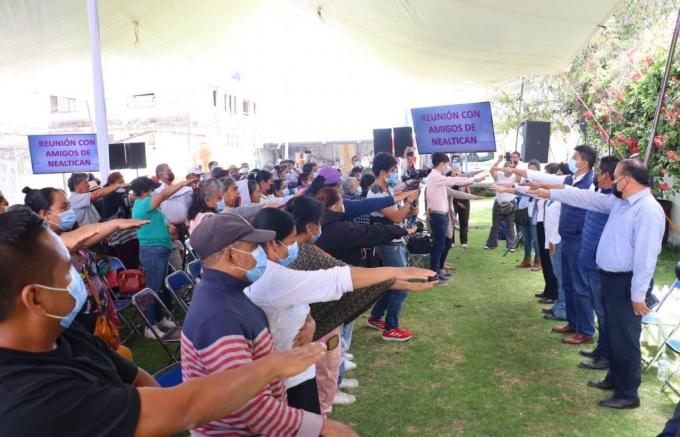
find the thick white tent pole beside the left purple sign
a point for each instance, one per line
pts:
(98, 83)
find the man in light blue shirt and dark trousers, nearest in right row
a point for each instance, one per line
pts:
(626, 257)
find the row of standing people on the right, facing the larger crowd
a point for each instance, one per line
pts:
(598, 230)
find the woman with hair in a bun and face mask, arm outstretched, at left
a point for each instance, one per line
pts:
(52, 205)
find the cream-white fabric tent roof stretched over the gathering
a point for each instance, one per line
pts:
(476, 41)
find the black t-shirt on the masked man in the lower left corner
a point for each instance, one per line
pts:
(80, 389)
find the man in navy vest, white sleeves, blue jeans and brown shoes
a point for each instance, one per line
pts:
(580, 315)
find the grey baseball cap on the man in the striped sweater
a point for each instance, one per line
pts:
(217, 231)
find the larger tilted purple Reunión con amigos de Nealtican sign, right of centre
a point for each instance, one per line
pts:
(454, 128)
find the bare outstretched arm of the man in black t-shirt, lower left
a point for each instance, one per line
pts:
(167, 411)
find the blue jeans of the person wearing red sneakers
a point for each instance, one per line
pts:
(391, 302)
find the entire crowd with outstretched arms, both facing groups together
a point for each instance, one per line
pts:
(291, 255)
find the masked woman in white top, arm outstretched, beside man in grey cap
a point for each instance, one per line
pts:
(284, 294)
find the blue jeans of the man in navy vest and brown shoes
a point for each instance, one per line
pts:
(576, 293)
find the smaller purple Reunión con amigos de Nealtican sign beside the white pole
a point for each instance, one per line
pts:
(67, 153)
